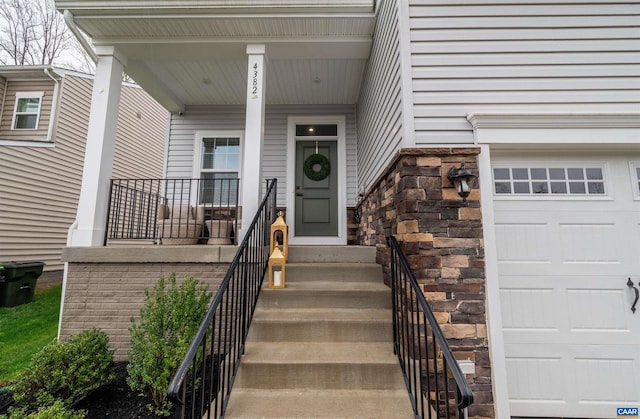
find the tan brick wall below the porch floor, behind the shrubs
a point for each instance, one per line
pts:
(107, 295)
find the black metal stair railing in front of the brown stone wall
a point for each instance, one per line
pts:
(437, 387)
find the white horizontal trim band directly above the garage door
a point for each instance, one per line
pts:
(555, 128)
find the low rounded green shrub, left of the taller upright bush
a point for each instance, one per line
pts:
(65, 371)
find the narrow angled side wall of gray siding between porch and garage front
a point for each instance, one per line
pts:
(379, 109)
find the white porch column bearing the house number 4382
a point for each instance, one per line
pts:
(254, 136)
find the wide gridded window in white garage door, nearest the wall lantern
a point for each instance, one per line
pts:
(568, 180)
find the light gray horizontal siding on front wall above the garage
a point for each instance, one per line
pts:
(519, 56)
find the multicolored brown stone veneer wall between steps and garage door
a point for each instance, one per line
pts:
(442, 238)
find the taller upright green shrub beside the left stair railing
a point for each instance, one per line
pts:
(168, 322)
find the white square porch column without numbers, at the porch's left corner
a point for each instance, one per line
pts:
(98, 159)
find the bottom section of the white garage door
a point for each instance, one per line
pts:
(571, 380)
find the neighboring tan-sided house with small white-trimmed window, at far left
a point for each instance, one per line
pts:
(44, 115)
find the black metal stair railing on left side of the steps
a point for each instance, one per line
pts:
(202, 384)
